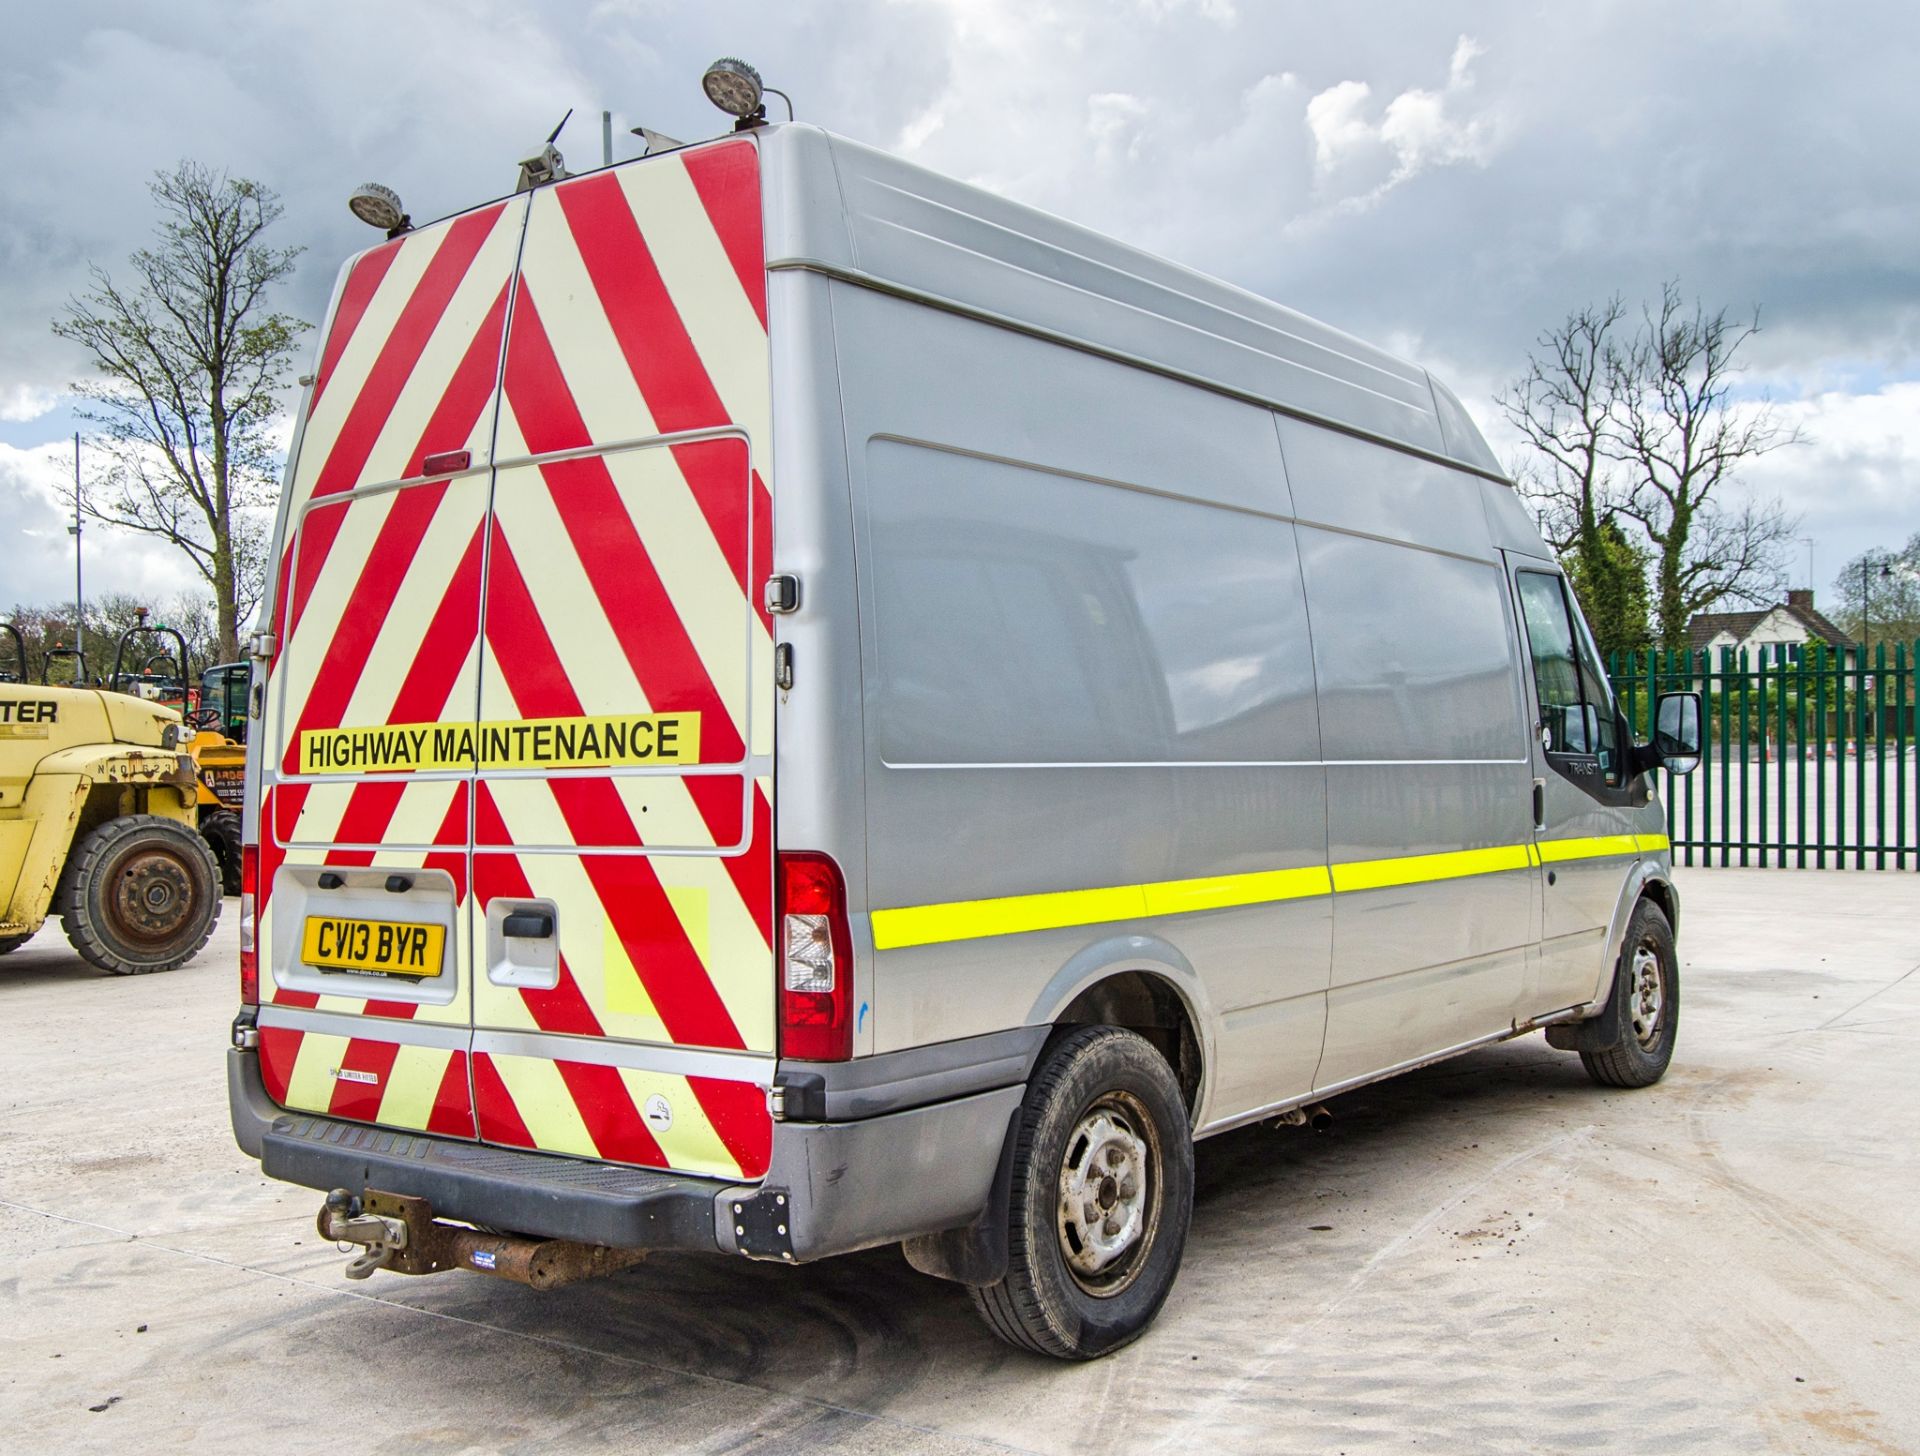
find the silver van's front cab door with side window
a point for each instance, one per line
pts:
(1583, 789)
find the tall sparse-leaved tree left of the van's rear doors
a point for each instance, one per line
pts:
(191, 364)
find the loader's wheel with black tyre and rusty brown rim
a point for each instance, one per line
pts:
(141, 894)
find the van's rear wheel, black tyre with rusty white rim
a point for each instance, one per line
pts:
(1101, 1198)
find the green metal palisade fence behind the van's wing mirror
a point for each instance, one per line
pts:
(1810, 756)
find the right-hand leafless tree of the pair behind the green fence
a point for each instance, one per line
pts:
(1685, 439)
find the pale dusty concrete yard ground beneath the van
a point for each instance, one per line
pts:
(1489, 1255)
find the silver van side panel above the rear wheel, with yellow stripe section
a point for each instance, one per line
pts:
(1088, 669)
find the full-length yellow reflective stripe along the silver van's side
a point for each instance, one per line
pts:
(1013, 915)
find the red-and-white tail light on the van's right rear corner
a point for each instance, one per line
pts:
(815, 961)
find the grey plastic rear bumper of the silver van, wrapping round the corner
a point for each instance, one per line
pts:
(832, 1186)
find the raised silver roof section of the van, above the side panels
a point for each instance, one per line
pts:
(871, 218)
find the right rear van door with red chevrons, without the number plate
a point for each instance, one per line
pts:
(623, 812)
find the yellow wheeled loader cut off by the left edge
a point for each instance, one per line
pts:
(99, 825)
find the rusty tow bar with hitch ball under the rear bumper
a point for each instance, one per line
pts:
(400, 1234)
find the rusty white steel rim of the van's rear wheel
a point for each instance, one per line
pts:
(1109, 1203)
